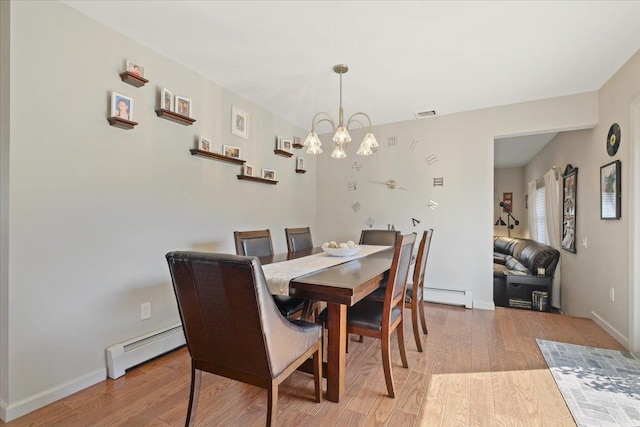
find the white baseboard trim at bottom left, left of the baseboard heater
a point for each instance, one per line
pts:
(9, 412)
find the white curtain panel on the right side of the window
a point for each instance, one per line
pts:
(553, 217)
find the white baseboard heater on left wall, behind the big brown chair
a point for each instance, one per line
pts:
(128, 354)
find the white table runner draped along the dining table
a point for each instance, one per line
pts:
(279, 274)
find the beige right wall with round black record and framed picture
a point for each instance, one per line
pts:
(604, 263)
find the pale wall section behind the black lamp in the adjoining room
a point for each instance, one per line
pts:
(510, 180)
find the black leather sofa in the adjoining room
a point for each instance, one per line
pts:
(524, 255)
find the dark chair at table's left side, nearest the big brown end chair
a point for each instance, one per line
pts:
(258, 243)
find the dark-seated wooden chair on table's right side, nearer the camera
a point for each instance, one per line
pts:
(378, 319)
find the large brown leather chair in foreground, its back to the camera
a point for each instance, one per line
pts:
(255, 344)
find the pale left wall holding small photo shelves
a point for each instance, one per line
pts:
(95, 208)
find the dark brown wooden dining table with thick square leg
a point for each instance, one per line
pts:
(340, 286)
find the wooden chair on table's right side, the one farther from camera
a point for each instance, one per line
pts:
(414, 297)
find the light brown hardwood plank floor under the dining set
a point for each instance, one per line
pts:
(478, 368)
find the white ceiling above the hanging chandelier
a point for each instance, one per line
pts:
(404, 57)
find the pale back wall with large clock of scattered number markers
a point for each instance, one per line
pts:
(463, 222)
